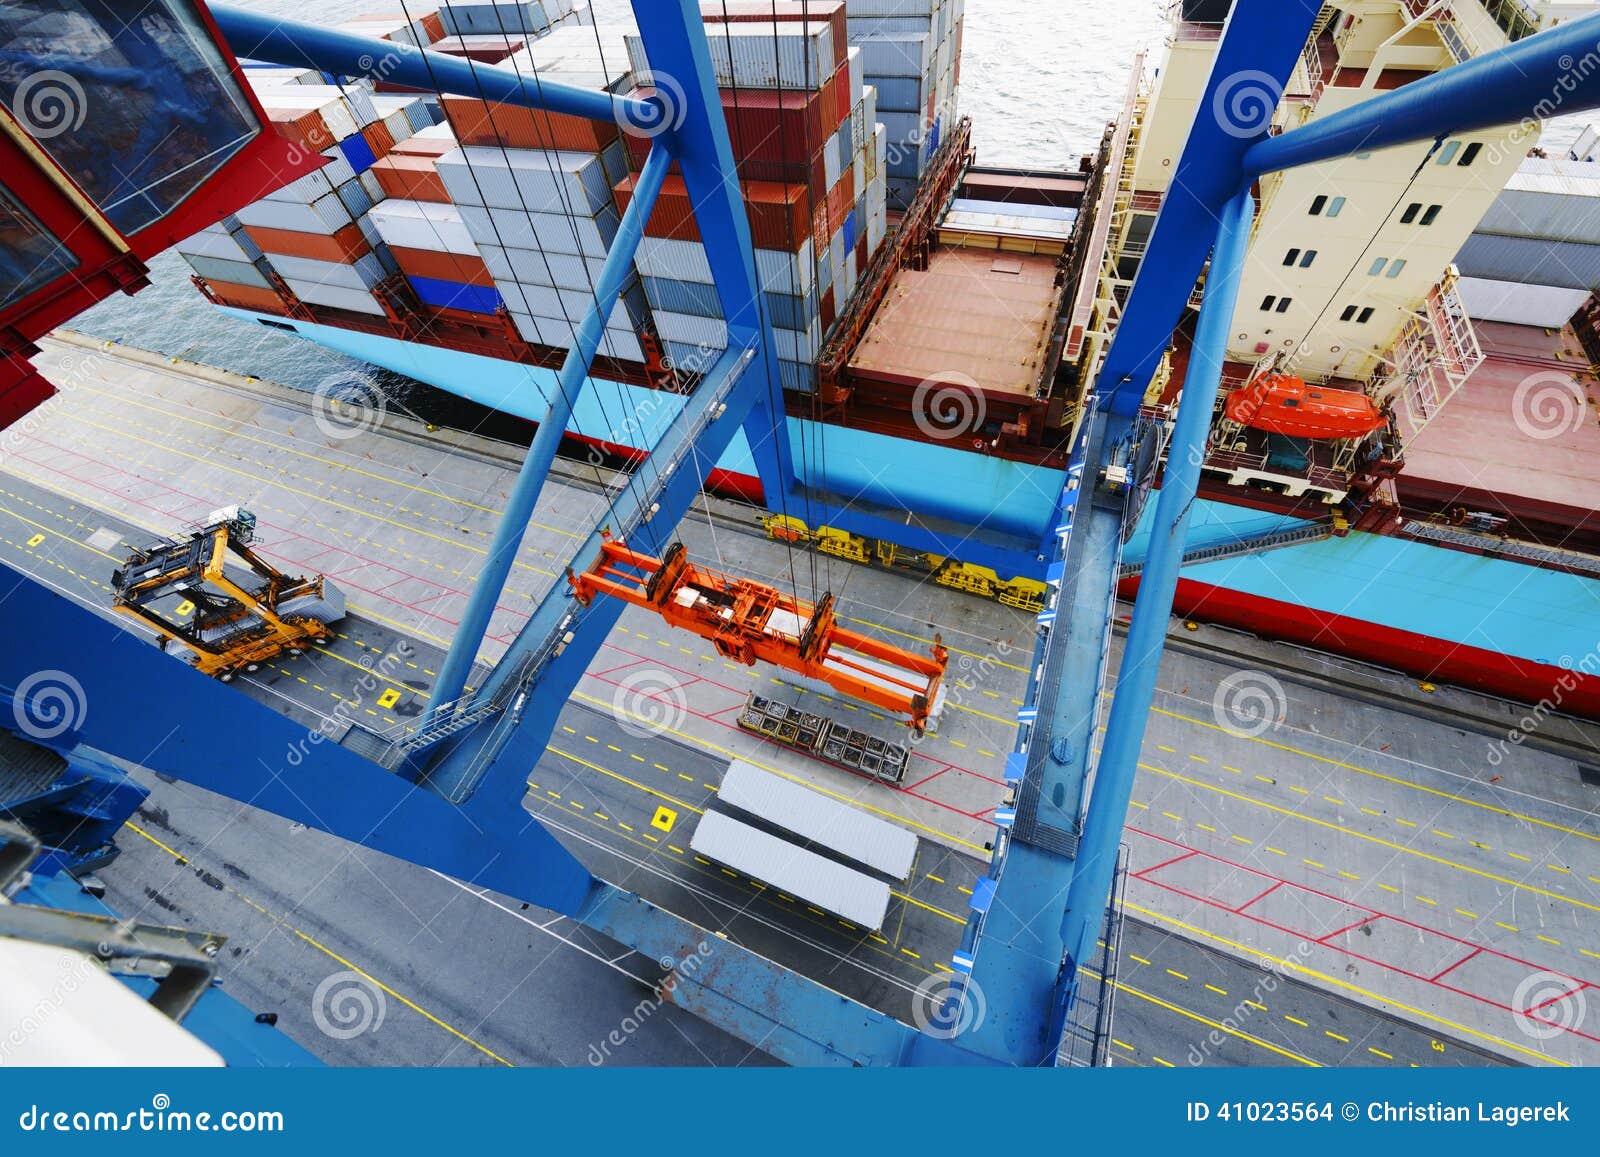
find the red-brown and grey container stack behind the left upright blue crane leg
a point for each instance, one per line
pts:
(798, 118)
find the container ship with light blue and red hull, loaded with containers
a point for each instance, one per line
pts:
(942, 324)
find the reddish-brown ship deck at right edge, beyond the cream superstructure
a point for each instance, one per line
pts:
(1521, 441)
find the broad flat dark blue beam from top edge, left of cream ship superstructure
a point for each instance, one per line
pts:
(1262, 42)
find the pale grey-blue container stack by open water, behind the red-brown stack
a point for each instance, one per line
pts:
(911, 50)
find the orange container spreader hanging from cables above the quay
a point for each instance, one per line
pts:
(751, 622)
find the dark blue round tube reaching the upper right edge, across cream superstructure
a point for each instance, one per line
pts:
(1535, 78)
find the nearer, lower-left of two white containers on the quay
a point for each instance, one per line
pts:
(844, 892)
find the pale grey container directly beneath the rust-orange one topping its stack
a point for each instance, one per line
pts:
(535, 180)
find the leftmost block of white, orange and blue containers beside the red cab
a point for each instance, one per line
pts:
(316, 234)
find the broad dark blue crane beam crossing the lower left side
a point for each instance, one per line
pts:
(134, 702)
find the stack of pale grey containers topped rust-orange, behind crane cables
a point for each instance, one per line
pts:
(534, 193)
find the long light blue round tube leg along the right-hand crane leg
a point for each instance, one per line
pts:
(1142, 657)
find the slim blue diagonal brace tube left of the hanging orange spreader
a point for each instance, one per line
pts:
(548, 441)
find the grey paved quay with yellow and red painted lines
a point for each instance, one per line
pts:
(1345, 859)
